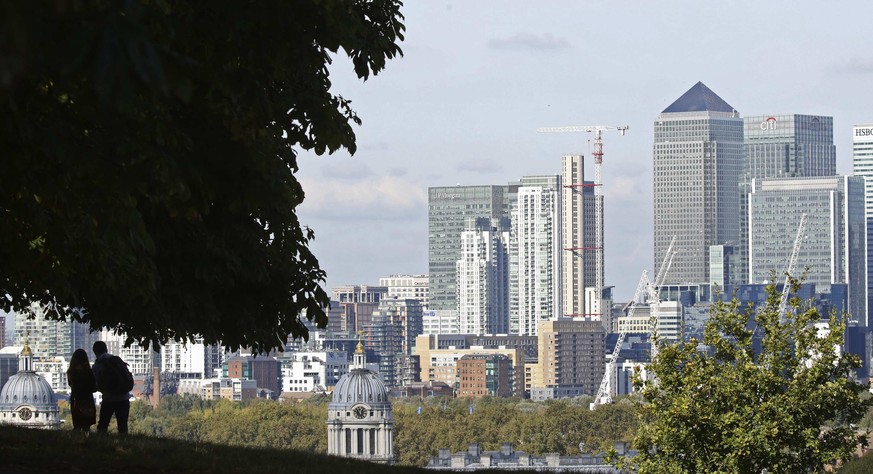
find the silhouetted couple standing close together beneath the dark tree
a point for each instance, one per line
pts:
(84, 380)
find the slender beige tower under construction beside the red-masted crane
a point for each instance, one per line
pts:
(579, 254)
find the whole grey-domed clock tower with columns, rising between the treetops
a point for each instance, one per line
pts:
(360, 421)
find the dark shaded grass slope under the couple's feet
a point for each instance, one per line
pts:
(27, 450)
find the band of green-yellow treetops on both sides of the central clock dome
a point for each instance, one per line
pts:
(533, 427)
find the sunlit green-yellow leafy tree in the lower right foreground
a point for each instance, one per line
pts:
(719, 407)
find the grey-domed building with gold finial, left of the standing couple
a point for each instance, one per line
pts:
(27, 399)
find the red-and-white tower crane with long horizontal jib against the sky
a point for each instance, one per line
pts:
(598, 199)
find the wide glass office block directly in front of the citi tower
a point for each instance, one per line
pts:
(834, 247)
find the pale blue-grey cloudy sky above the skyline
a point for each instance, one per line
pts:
(477, 78)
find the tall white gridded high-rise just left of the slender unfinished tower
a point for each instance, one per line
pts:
(535, 254)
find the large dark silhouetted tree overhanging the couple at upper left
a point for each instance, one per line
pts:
(149, 159)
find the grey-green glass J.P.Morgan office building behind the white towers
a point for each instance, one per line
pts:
(448, 207)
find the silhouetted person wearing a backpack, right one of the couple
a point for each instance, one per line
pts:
(114, 381)
